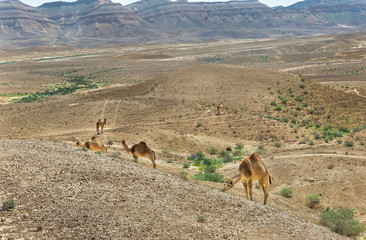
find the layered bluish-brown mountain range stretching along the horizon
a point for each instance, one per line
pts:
(98, 22)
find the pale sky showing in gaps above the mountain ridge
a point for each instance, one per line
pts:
(271, 3)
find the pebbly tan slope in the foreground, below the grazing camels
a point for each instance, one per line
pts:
(63, 192)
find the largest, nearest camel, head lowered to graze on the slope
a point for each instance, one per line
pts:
(251, 169)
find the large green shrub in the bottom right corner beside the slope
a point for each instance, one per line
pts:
(341, 221)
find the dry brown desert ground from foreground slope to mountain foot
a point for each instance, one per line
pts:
(284, 99)
